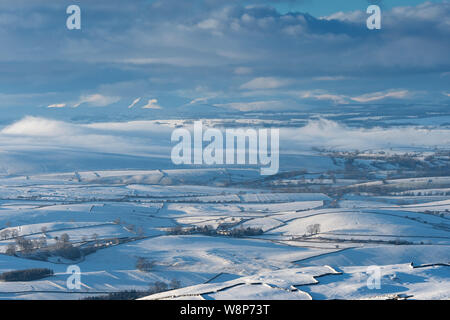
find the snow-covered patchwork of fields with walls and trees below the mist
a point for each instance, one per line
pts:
(184, 226)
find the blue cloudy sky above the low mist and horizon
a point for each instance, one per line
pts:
(143, 59)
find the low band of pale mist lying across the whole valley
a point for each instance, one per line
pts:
(45, 144)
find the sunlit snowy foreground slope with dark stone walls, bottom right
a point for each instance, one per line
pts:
(396, 281)
